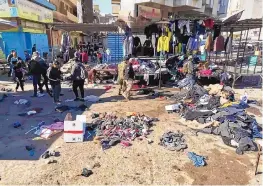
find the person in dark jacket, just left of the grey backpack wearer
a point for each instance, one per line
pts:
(54, 76)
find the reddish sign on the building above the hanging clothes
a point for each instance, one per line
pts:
(148, 12)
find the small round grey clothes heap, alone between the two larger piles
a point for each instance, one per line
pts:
(173, 141)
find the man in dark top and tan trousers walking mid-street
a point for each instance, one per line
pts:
(128, 78)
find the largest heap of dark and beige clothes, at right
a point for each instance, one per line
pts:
(214, 107)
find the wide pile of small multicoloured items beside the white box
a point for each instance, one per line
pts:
(112, 130)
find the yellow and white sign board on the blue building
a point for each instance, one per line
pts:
(26, 10)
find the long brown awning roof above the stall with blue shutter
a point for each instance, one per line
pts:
(85, 27)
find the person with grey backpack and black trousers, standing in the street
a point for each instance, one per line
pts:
(78, 75)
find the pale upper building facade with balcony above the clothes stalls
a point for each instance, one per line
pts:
(165, 8)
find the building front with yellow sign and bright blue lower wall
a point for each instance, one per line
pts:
(31, 18)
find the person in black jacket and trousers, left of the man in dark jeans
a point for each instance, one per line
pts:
(36, 71)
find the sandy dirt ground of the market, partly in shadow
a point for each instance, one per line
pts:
(142, 163)
